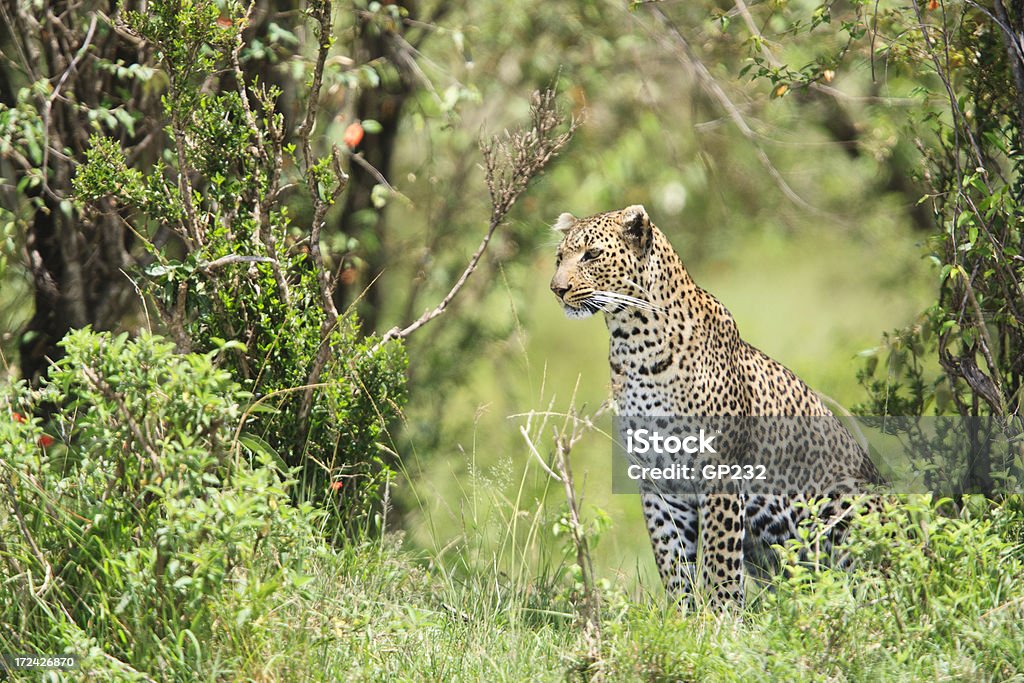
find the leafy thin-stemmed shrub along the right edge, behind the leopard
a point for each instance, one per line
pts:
(971, 137)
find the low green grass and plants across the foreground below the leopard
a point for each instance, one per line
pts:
(375, 612)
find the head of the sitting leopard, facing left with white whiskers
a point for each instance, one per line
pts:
(600, 261)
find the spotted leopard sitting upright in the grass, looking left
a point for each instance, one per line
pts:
(676, 351)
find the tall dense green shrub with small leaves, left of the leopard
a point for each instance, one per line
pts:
(243, 270)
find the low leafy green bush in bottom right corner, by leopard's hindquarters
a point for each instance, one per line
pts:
(936, 593)
